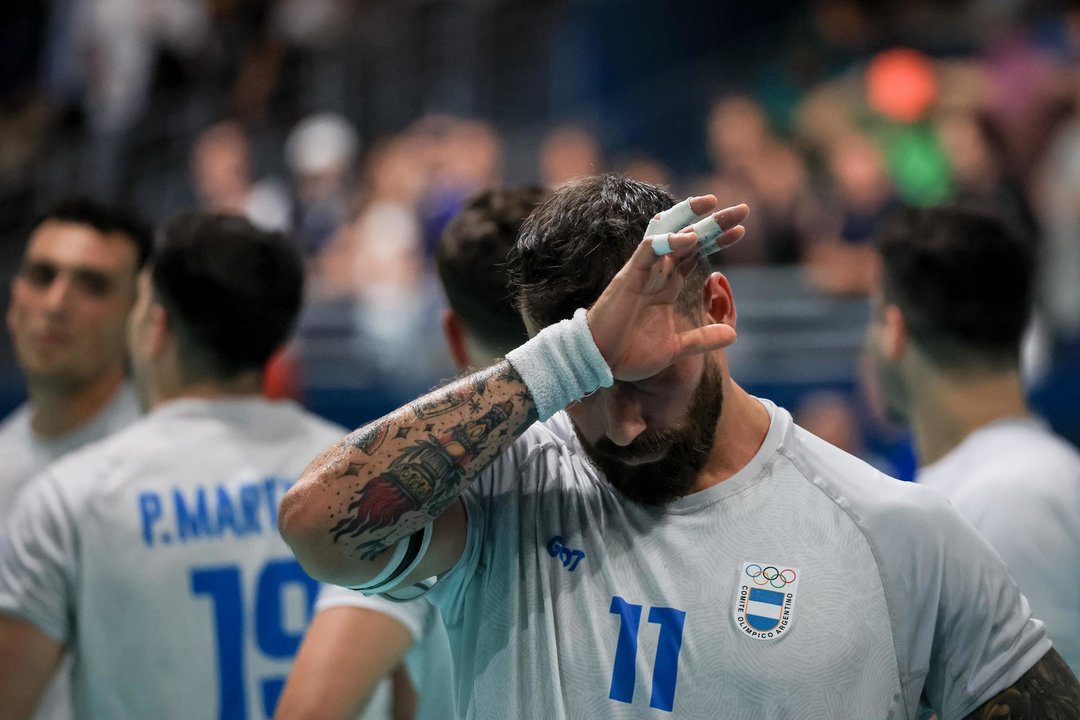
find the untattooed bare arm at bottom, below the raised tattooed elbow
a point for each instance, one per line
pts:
(346, 653)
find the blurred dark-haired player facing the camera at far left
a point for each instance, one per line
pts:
(70, 305)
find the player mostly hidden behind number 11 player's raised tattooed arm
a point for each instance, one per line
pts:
(357, 641)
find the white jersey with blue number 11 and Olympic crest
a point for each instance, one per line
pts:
(807, 586)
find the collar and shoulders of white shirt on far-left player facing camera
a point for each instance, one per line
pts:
(23, 454)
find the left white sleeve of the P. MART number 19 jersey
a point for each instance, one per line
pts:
(38, 561)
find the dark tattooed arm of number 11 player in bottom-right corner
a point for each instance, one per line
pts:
(1049, 691)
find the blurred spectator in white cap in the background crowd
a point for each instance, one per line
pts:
(321, 154)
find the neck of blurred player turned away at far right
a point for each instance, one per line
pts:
(949, 409)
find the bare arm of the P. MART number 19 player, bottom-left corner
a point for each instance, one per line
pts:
(29, 659)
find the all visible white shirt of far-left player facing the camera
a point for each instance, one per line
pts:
(23, 455)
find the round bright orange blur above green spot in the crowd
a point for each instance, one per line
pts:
(901, 85)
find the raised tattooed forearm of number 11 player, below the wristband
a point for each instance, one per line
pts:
(391, 478)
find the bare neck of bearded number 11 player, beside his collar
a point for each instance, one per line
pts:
(744, 425)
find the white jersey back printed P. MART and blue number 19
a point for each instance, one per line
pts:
(155, 558)
